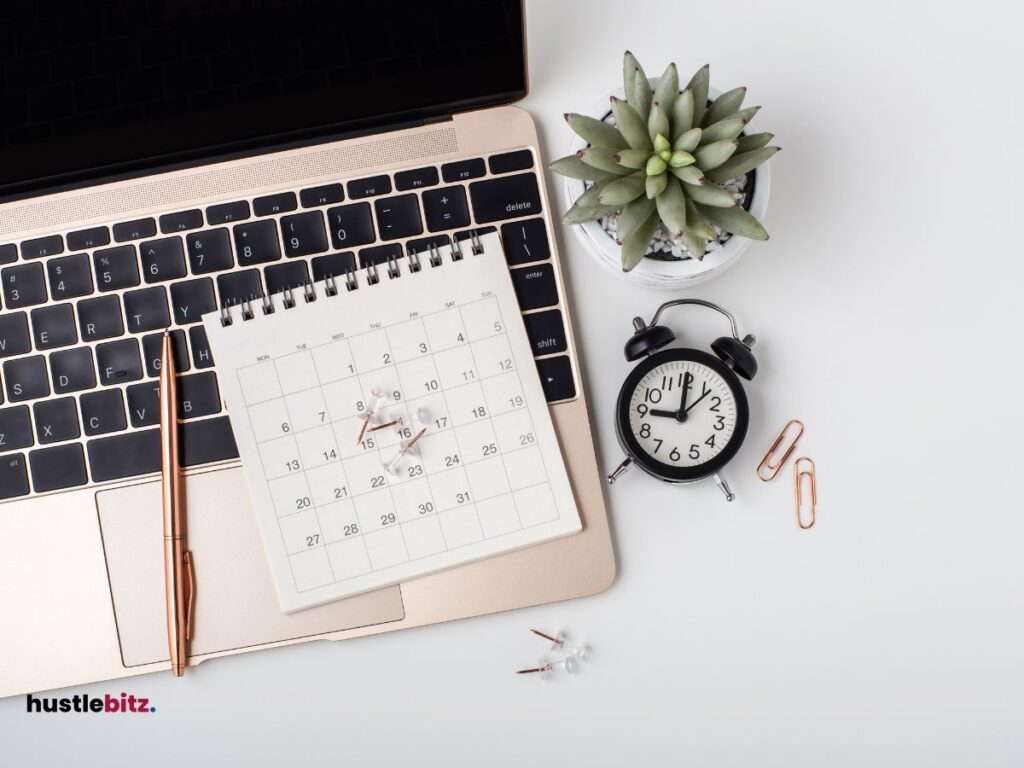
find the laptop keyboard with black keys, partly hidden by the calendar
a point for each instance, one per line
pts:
(83, 313)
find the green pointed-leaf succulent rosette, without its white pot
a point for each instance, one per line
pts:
(666, 161)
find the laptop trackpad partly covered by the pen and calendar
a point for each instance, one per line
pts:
(236, 603)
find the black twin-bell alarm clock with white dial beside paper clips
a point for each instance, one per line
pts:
(682, 414)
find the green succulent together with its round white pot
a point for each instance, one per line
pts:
(667, 187)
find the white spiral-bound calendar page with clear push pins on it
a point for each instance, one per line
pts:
(392, 423)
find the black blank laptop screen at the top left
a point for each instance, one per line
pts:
(104, 88)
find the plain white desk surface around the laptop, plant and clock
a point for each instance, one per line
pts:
(888, 310)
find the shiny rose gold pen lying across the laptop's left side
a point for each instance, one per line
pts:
(179, 574)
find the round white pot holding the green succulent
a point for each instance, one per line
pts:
(666, 276)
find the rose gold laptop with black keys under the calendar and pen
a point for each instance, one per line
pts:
(144, 148)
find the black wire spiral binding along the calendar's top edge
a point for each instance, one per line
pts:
(353, 280)
